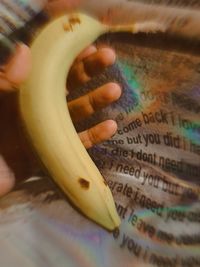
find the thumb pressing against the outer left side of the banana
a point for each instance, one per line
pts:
(17, 69)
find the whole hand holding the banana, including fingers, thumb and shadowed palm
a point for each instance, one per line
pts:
(16, 158)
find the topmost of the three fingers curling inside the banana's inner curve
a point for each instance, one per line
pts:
(89, 65)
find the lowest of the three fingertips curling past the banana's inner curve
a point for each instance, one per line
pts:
(98, 133)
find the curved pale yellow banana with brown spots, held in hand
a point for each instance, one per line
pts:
(42, 101)
